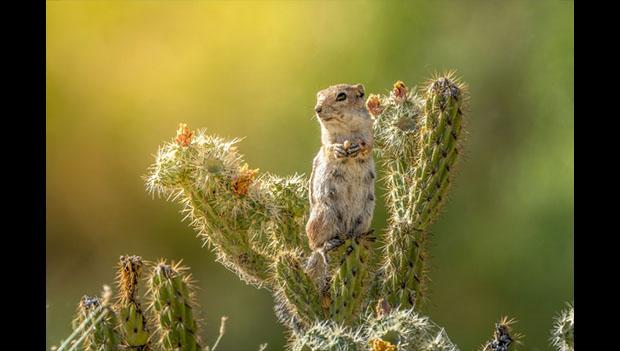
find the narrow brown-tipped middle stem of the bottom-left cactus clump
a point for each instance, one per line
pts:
(133, 323)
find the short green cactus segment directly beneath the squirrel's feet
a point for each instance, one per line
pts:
(350, 284)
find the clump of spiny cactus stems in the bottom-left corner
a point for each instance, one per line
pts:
(103, 326)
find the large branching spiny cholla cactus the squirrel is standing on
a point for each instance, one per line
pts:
(254, 222)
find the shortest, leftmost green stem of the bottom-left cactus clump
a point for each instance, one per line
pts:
(100, 323)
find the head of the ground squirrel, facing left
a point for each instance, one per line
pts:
(342, 105)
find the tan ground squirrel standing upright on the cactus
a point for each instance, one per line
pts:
(342, 183)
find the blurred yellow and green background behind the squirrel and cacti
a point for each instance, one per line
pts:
(122, 75)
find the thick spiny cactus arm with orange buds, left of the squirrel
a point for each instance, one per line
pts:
(247, 219)
